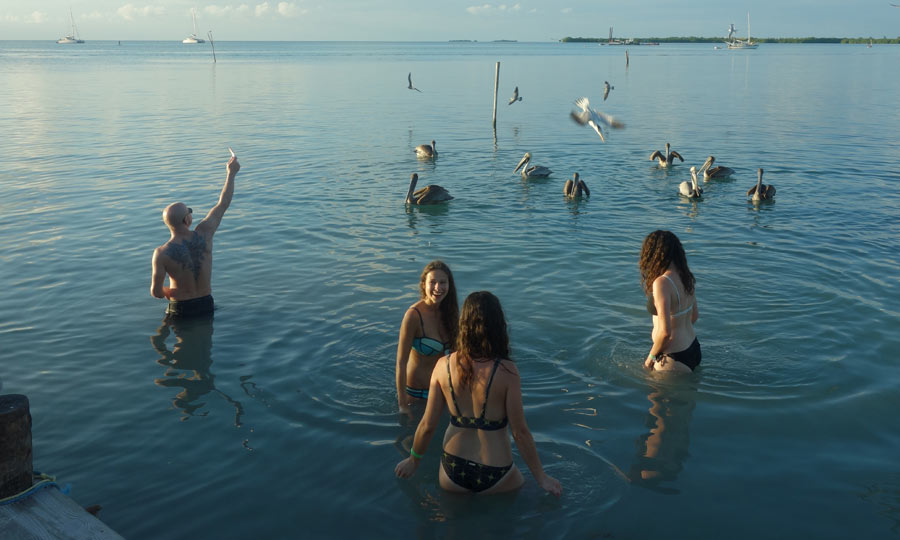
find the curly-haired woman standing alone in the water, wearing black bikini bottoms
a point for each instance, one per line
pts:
(669, 286)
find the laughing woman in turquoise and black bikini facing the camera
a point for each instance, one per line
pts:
(427, 332)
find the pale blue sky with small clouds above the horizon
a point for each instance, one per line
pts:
(442, 20)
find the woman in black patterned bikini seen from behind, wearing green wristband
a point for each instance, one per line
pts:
(482, 388)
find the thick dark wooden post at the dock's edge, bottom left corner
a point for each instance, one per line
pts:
(15, 445)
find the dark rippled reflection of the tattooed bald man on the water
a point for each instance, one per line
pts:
(188, 364)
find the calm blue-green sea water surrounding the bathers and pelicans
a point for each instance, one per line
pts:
(278, 419)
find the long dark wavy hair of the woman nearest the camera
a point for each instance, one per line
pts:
(482, 333)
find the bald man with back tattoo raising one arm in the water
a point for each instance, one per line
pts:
(187, 257)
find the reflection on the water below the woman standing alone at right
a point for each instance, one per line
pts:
(662, 451)
